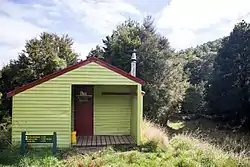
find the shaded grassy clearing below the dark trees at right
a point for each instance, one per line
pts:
(209, 131)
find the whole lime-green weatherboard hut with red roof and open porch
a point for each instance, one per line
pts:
(102, 103)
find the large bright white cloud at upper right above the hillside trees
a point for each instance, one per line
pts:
(196, 21)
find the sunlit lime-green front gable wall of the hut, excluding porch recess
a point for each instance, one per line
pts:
(47, 107)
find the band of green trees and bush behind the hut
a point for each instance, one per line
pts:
(212, 78)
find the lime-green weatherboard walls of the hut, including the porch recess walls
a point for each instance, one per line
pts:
(47, 107)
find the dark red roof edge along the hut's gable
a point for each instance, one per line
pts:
(70, 68)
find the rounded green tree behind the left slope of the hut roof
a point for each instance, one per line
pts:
(48, 53)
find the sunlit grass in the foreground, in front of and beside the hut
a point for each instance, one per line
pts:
(158, 149)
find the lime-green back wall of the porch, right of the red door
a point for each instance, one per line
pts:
(112, 113)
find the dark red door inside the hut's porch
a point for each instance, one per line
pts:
(83, 102)
